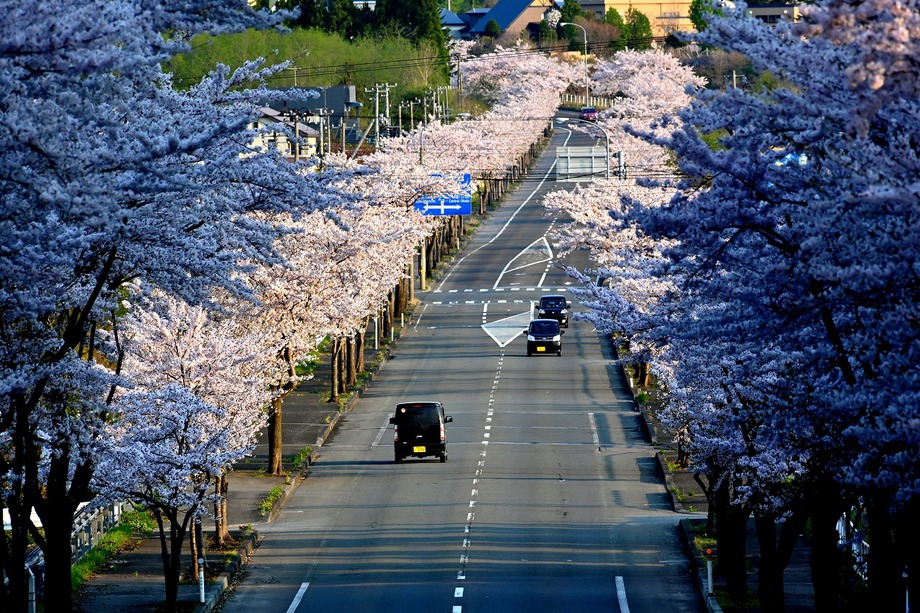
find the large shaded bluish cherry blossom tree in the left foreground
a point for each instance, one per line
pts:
(109, 176)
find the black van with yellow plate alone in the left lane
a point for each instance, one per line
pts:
(419, 430)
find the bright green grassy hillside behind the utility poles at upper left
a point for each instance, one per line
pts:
(320, 59)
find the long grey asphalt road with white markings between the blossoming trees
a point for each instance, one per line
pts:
(550, 499)
